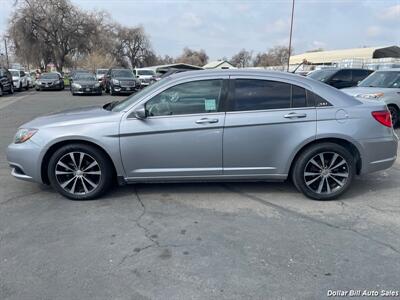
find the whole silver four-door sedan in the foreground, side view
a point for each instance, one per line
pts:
(229, 125)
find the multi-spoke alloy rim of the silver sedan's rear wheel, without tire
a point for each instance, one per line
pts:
(326, 173)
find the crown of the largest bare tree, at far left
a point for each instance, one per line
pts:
(53, 30)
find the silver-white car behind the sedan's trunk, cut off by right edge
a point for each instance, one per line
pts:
(382, 86)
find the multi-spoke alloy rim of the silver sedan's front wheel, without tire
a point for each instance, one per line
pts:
(78, 173)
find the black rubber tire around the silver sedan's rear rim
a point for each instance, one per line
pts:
(328, 151)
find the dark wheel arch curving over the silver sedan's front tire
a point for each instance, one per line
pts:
(53, 148)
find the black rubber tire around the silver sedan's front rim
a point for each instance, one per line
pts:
(104, 166)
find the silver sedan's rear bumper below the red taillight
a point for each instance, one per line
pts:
(379, 154)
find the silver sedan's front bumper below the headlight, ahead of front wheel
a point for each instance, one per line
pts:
(24, 159)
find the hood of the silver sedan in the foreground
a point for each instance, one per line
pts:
(80, 116)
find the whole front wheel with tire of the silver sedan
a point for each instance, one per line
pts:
(80, 172)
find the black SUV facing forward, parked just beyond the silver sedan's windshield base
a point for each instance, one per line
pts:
(117, 81)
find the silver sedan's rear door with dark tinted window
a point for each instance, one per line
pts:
(266, 121)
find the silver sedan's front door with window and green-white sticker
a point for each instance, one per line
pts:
(181, 137)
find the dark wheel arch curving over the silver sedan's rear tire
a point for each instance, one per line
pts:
(349, 145)
